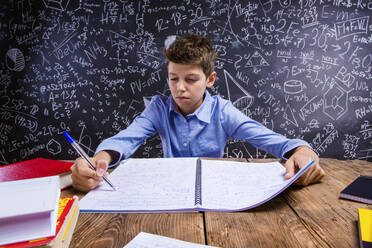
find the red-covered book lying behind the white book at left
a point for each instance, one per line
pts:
(38, 167)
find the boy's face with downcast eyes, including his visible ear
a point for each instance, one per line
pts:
(187, 84)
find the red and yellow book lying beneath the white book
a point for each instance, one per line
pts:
(68, 212)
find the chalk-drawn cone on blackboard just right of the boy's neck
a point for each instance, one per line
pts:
(241, 102)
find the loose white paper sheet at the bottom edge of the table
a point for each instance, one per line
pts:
(148, 240)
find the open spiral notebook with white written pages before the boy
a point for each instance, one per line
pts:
(188, 184)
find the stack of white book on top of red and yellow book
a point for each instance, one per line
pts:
(33, 214)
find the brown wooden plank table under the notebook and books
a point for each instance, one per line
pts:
(311, 216)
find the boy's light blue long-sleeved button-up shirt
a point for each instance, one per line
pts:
(203, 133)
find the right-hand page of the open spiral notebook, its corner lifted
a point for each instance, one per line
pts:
(237, 186)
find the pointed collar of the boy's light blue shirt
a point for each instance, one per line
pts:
(204, 111)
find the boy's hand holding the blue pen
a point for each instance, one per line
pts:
(85, 178)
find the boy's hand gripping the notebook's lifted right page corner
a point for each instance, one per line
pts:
(300, 158)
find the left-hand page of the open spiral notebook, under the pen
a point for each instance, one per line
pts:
(145, 185)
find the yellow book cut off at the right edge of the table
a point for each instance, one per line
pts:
(365, 227)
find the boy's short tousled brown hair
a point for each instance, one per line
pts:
(192, 49)
